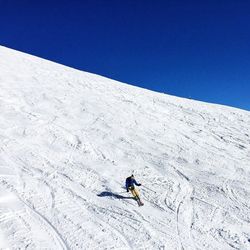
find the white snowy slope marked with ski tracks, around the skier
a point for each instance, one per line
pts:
(68, 141)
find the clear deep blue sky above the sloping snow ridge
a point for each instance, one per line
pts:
(195, 49)
